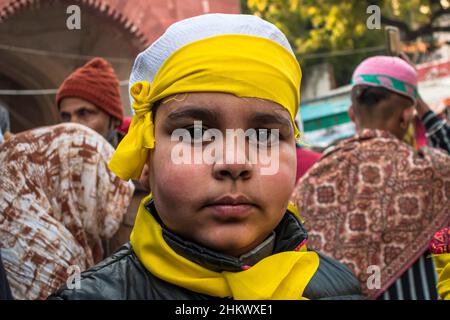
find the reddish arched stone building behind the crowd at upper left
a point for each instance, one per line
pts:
(115, 29)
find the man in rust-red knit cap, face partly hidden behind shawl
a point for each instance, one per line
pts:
(90, 96)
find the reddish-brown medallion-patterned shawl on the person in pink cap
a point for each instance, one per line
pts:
(372, 201)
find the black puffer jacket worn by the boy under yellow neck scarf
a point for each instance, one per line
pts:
(122, 276)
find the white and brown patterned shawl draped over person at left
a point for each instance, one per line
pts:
(58, 201)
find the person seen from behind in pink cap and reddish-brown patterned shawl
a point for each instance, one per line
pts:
(373, 200)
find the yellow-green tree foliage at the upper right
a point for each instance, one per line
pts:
(333, 26)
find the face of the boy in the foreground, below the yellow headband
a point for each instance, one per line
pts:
(189, 197)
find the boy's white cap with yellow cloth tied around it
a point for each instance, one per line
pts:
(231, 53)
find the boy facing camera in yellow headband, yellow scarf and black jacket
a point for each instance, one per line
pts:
(215, 228)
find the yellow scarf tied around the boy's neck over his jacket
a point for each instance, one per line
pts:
(280, 276)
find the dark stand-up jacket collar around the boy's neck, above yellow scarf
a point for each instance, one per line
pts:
(289, 235)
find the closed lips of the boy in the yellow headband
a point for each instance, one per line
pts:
(231, 207)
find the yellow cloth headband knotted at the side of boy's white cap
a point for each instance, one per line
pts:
(243, 65)
